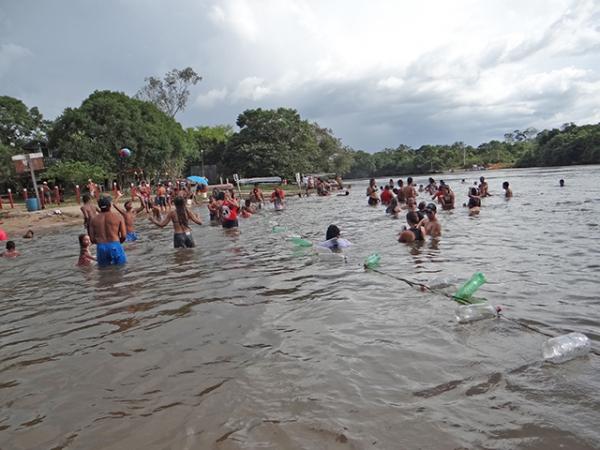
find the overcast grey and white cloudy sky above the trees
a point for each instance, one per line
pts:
(378, 73)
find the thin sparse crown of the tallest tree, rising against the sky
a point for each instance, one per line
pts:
(172, 93)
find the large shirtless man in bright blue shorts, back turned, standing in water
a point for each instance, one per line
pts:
(107, 231)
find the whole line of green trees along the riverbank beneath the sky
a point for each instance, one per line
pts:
(86, 142)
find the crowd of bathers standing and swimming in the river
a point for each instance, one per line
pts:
(169, 205)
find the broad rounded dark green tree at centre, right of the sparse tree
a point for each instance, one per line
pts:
(271, 142)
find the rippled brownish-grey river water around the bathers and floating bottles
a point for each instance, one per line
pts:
(248, 341)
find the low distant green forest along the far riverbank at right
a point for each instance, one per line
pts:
(569, 145)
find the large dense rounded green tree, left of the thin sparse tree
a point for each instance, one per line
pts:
(108, 121)
